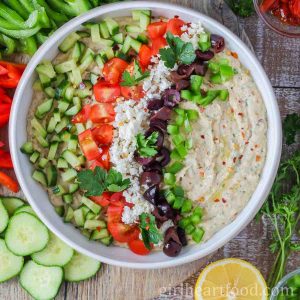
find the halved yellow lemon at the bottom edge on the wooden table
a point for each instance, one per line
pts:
(231, 279)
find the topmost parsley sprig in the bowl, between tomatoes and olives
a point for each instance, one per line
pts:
(178, 51)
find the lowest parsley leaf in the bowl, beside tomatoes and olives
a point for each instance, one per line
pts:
(149, 231)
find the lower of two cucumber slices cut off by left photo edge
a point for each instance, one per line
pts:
(11, 264)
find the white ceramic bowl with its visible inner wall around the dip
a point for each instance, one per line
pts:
(116, 255)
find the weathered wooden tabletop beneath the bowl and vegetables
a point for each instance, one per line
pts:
(280, 58)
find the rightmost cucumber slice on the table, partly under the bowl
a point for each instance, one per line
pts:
(81, 267)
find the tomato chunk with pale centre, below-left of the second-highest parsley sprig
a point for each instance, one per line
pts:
(105, 92)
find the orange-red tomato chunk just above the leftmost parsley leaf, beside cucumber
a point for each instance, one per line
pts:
(88, 145)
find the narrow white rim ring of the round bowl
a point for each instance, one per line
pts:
(244, 217)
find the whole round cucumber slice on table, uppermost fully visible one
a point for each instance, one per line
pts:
(26, 234)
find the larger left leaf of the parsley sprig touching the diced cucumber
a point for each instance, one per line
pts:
(92, 182)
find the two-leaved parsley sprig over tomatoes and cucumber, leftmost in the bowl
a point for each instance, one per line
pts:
(94, 183)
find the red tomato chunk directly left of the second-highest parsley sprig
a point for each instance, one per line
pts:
(113, 70)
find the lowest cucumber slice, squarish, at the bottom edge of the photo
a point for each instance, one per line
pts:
(41, 282)
